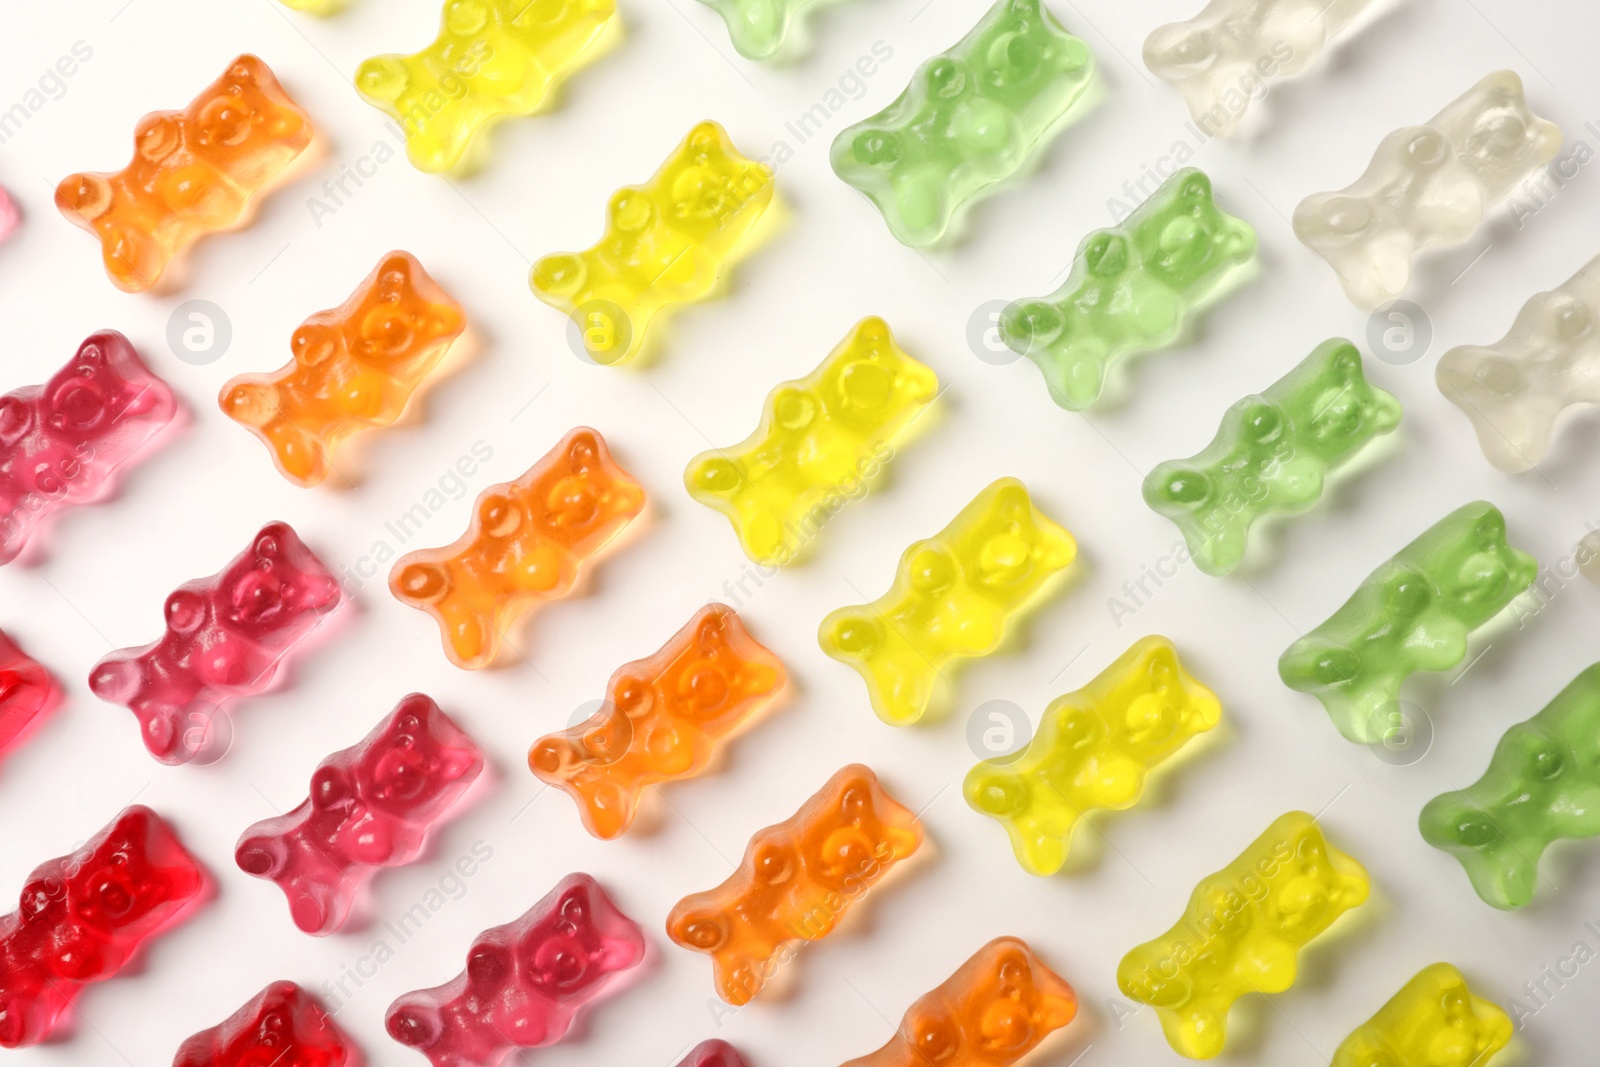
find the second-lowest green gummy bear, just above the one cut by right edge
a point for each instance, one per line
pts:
(1414, 613)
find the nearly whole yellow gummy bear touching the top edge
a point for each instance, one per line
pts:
(492, 58)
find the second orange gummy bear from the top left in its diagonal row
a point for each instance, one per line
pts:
(354, 367)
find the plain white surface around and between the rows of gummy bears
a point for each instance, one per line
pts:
(193, 506)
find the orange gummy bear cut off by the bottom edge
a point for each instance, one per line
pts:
(991, 1013)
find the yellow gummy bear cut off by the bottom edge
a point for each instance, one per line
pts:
(1434, 1021)
